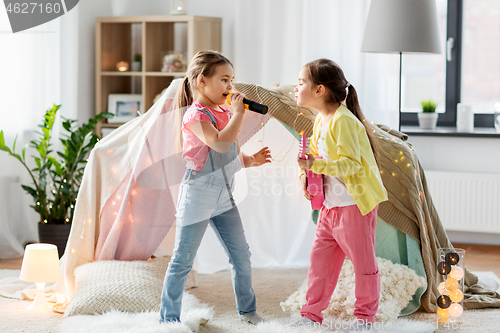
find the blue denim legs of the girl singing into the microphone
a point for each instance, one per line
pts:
(229, 230)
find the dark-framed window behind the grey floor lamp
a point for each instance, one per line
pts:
(470, 73)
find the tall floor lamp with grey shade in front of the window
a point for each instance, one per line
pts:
(397, 26)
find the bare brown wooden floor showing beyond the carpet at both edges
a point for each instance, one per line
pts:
(477, 258)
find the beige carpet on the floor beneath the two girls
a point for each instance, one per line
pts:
(272, 286)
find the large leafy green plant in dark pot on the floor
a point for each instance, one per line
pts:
(55, 181)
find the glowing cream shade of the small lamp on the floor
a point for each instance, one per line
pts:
(40, 264)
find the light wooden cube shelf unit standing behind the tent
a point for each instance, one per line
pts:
(119, 38)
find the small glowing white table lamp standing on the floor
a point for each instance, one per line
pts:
(40, 266)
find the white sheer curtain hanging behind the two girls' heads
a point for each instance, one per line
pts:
(273, 39)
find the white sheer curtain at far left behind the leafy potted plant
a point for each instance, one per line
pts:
(30, 84)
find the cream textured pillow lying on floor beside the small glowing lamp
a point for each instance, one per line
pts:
(129, 286)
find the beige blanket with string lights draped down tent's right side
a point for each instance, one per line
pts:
(410, 209)
